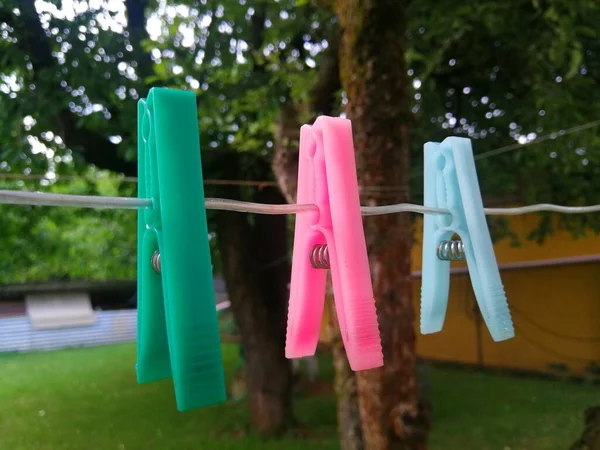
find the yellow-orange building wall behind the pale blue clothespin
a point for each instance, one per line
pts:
(555, 308)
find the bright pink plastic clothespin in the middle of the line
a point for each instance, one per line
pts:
(331, 237)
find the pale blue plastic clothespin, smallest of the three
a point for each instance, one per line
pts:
(451, 183)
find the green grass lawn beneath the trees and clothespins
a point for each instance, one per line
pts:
(88, 399)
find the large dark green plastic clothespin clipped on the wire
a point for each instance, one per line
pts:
(178, 333)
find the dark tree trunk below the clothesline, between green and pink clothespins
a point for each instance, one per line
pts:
(256, 270)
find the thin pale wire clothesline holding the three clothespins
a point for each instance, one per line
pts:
(99, 202)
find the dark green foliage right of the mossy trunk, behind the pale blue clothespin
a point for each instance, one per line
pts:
(503, 73)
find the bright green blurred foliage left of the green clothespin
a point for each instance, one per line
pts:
(46, 243)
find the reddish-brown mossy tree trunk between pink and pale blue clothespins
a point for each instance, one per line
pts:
(374, 76)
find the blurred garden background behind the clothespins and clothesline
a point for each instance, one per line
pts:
(519, 78)
